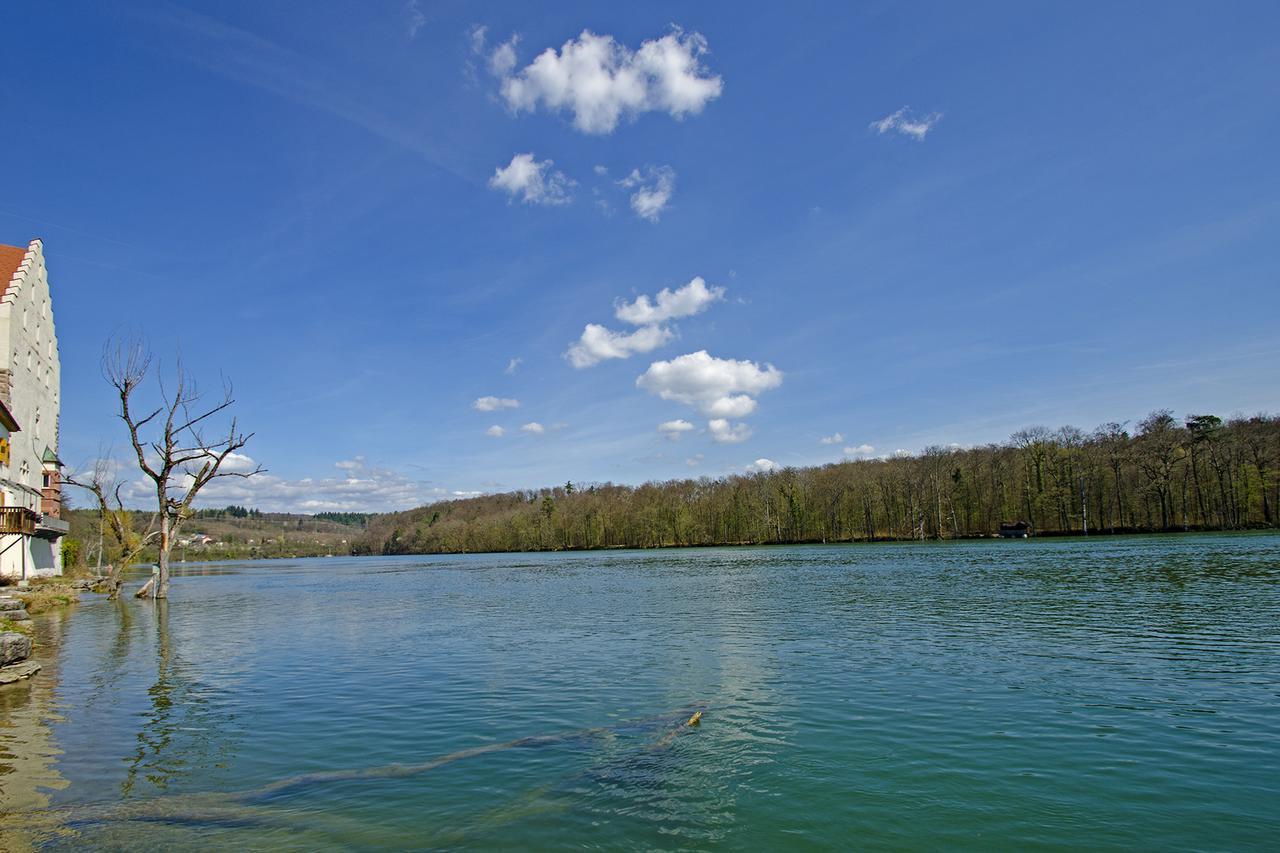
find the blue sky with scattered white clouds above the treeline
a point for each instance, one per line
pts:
(445, 249)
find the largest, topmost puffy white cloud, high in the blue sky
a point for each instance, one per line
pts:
(601, 81)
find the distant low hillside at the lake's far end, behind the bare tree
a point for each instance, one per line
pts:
(240, 533)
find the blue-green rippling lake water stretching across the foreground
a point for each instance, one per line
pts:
(1101, 694)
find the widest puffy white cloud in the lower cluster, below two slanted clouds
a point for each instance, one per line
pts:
(717, 387)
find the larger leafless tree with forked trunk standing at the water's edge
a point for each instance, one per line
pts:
(173, 443)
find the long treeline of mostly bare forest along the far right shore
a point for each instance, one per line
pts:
(1167, 475)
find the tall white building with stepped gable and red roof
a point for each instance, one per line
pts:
(30, 389)
